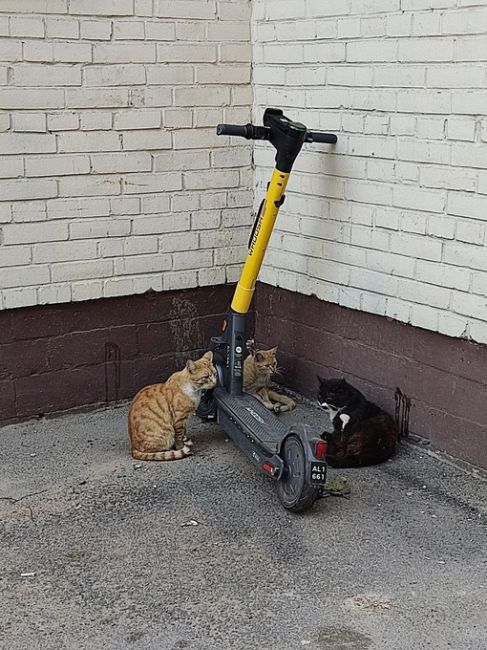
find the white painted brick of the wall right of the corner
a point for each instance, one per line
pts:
(393, 219)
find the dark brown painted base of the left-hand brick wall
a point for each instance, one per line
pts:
(56, 358)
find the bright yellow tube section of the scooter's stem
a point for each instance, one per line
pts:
(259, 241)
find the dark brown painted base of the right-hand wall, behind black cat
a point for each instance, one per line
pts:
(445, 378)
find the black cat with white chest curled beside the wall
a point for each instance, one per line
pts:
(363, 434)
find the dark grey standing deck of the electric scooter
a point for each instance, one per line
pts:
(251, 417)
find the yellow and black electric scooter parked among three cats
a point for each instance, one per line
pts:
(295, 456)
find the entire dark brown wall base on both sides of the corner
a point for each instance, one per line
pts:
(62, 357)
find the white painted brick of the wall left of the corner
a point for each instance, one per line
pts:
(112, 179)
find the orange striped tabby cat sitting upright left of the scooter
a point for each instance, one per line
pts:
(158, 413)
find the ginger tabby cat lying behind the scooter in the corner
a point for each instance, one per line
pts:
(259, 367)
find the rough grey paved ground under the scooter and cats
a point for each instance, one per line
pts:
(97, 551)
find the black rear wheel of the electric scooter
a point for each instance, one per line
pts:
(292, 489)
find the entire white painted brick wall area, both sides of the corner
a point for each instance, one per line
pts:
(113, 182)
